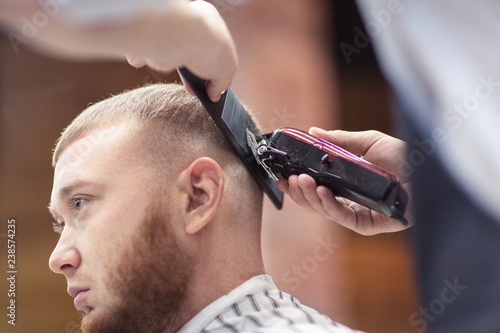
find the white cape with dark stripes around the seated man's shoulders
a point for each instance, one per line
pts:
(259, 306)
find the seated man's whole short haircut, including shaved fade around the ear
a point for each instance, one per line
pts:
(171, 125)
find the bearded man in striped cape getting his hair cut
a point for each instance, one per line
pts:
(160, 223)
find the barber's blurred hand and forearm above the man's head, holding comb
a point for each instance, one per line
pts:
(190, 34)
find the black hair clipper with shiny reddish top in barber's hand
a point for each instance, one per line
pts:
(289, 151)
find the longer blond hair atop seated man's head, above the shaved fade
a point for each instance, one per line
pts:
(161, 109)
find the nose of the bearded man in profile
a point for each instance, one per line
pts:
(65, 259)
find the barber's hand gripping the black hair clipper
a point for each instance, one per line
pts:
(378, 148)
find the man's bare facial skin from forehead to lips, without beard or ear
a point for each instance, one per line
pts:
(82, 193)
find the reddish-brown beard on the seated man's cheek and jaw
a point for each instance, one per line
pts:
(150, 282)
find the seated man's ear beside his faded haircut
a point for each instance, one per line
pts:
(202, 186)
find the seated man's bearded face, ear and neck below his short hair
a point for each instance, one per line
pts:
(102, 197)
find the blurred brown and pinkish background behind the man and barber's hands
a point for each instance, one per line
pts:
(292, 73)
